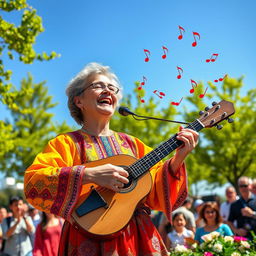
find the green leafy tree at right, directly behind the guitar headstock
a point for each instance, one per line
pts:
(225, 155)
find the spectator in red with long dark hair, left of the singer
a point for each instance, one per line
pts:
(47, 236)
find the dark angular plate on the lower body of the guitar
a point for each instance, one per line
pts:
(91, 203)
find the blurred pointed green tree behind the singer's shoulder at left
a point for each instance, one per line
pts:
(31, 129)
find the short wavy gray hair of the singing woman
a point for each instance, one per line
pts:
(79, 82)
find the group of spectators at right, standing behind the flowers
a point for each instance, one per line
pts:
(235, 216)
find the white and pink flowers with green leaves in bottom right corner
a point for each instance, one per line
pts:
(216, 245)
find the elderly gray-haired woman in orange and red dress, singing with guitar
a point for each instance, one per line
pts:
(59, 175)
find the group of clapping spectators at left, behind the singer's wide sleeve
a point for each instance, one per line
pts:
(25, 231)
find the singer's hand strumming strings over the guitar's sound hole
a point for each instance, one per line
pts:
(107, 175)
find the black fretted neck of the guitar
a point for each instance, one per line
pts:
(164, 149)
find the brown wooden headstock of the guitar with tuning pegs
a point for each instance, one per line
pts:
(219, 112)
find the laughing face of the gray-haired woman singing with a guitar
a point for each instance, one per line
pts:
(96, 101)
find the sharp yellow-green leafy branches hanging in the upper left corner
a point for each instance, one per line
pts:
(16, 41)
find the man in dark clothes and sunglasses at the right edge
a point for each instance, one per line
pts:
(243, 211)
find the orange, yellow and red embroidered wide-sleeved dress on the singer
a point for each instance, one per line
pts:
(53, 184)
